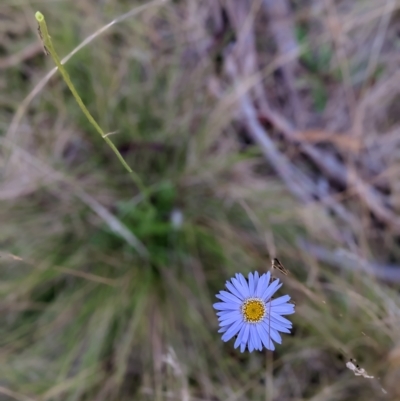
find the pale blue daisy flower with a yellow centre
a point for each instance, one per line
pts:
(249, 312)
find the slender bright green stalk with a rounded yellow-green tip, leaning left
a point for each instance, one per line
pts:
(49, 48)
